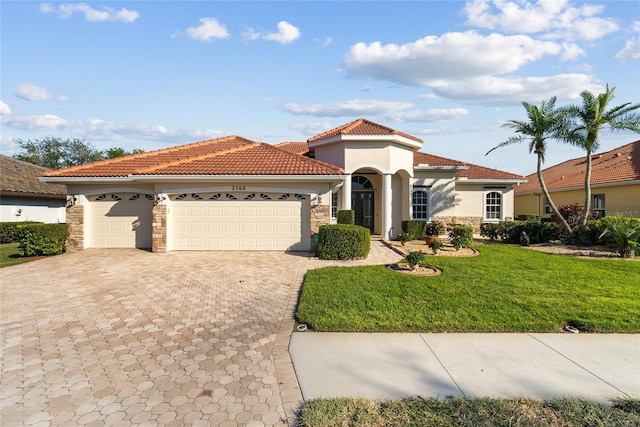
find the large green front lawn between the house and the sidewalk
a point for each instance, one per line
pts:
(504, 289)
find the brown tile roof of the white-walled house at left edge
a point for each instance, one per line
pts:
(18, 178)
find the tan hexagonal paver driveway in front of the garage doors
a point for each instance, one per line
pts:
(125, 337)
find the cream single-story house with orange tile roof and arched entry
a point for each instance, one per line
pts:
(235, 194)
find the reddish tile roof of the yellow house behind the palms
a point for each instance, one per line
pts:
(618, 165)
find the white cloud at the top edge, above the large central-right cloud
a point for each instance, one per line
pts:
(550, 18)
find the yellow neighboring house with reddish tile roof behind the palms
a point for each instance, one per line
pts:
(615, 184)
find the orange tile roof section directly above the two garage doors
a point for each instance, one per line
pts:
(232, 155)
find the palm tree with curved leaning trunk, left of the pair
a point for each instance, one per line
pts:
(545, 122)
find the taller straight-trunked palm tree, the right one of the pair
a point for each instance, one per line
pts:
(588, 120)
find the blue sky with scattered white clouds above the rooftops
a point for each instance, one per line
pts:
(158, 74)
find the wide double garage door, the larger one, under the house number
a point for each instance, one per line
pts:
(222, 221)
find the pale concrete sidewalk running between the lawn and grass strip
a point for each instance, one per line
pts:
(595, 367)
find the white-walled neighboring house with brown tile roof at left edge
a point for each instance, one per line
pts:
(24, 198)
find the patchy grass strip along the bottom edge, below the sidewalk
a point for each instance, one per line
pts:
(467, 412)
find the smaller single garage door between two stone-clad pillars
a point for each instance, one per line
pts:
(121, 220)
